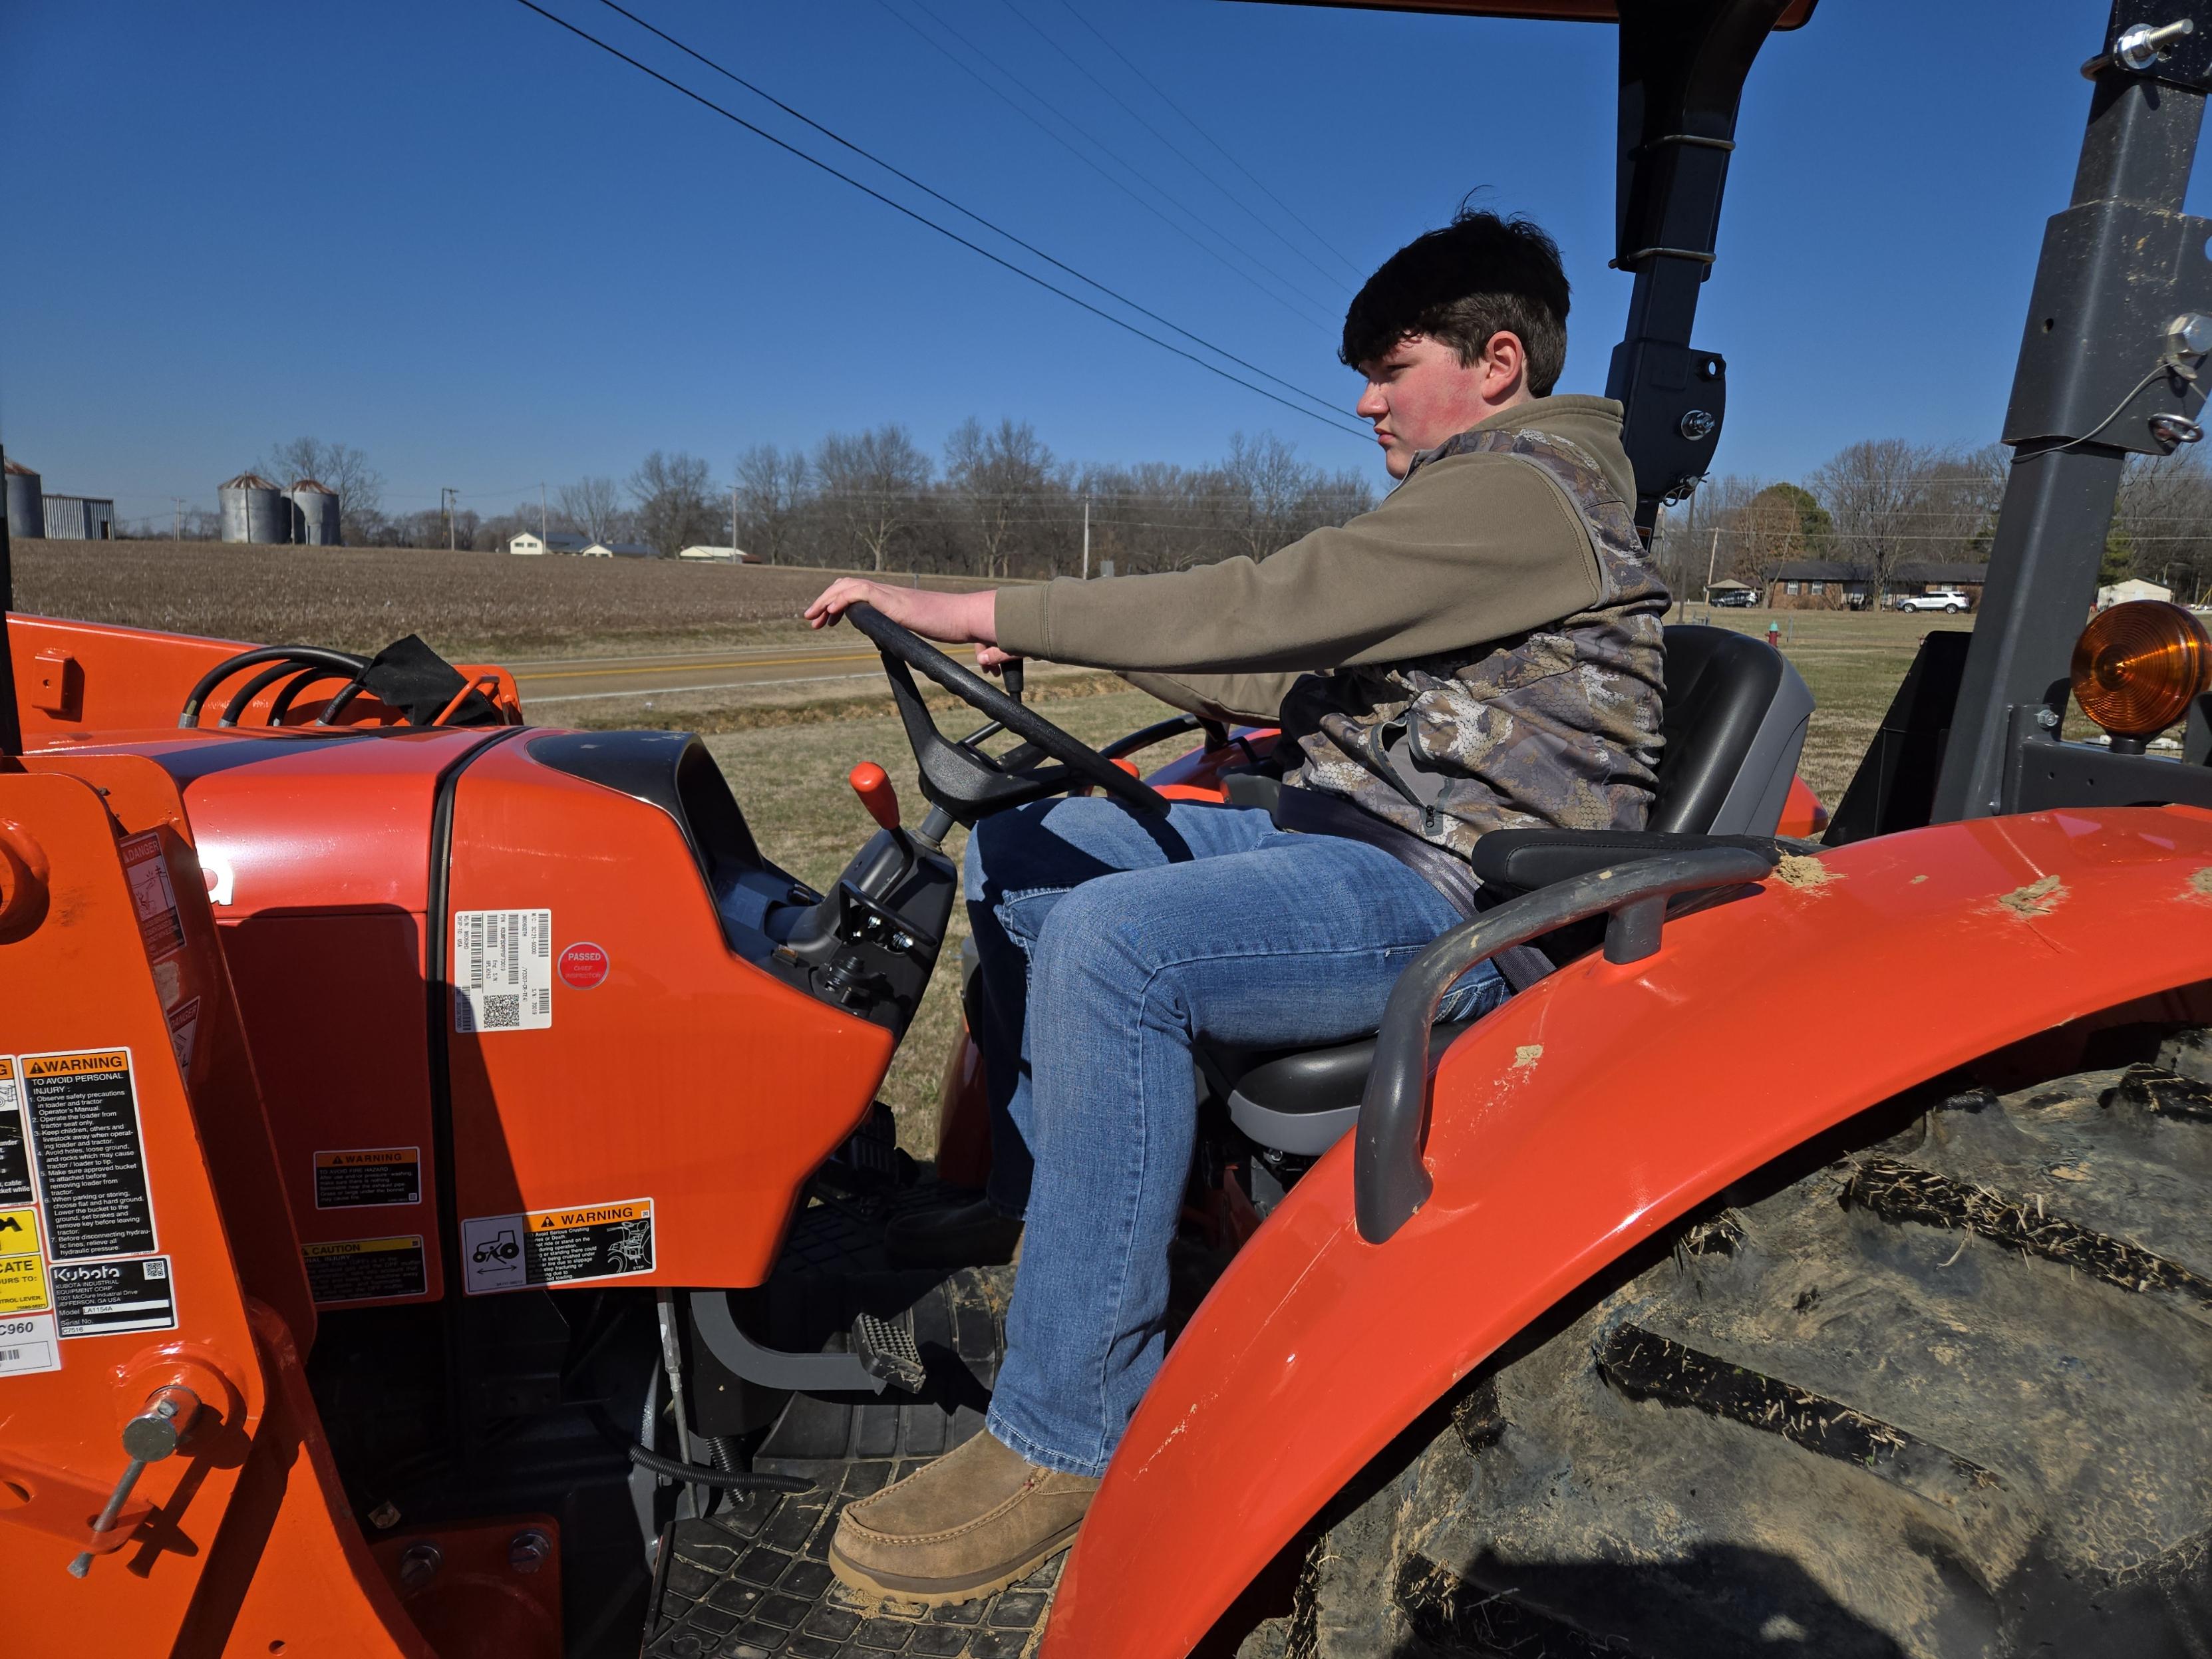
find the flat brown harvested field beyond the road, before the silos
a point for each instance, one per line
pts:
(466, 605)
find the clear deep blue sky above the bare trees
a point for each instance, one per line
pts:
(490, 255)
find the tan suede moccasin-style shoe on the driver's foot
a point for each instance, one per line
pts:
(968, 1525)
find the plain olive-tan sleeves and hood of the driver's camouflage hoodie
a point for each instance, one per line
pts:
(1472, 547)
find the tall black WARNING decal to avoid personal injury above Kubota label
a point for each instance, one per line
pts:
(92, 1165)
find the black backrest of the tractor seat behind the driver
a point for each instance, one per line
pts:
(1735, 722)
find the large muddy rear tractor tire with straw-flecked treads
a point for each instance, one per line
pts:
(1948, 1397)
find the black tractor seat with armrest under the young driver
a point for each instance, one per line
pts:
(1733, 731)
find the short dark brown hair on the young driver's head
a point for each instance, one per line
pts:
(1477, 278)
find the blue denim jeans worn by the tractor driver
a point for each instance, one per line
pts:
(1107, 946)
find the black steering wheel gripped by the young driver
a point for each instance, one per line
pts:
(957, 773)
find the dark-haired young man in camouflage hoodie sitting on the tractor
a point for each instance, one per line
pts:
(1481, 651)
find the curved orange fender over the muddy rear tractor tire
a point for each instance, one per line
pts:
(1589, 1114)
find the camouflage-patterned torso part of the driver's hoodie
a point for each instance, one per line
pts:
(1550, 729)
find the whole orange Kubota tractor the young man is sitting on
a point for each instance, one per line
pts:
(441, 1198)
